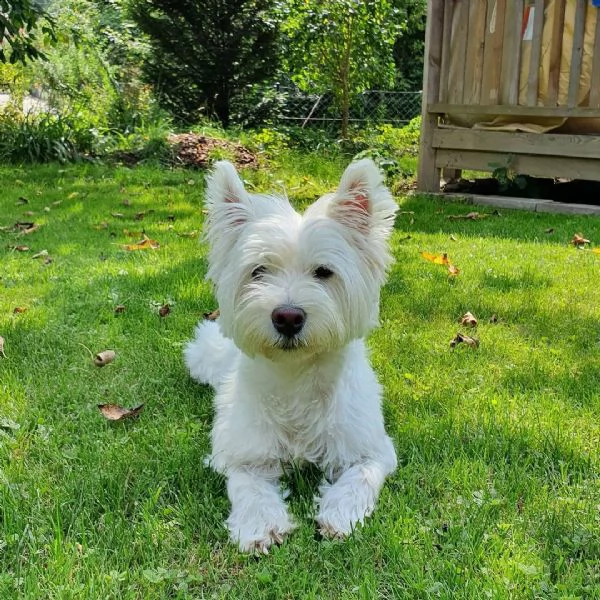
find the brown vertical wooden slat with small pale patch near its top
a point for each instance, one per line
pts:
(492, 58)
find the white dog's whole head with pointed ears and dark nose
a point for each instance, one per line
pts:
(288, 283)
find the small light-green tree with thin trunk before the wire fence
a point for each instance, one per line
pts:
(345, 46)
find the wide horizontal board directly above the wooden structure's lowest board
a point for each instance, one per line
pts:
(546, 144)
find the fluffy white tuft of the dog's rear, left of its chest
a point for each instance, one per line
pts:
(210, 356)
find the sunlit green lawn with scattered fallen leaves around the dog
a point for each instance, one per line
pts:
(498, 490)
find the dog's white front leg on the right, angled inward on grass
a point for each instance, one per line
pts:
(345, 503)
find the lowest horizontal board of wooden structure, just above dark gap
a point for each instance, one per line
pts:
(536, 166)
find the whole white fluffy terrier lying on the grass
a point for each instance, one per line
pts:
(297, 295)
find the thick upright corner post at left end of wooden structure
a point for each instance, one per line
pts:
(429, 174)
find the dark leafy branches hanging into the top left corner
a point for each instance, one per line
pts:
(20, 21)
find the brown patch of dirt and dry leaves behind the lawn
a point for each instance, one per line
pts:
(199, 151)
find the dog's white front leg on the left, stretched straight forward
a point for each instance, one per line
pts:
(259, 516)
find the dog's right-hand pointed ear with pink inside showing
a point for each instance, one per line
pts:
(362, 202)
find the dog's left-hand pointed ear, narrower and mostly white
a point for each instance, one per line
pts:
(226, 197)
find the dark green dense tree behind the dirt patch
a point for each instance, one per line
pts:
(205, 53)
